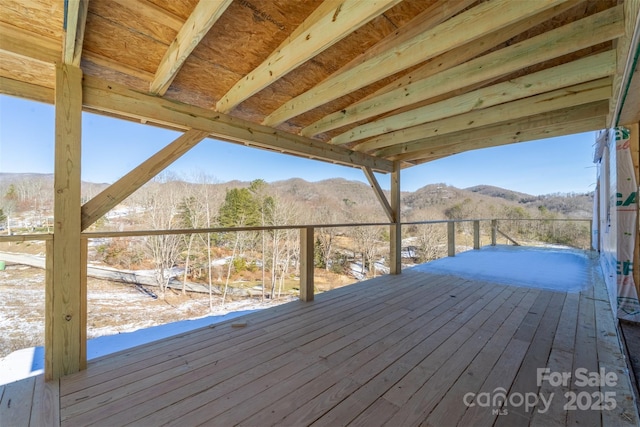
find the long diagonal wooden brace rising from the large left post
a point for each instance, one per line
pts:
(113, 195)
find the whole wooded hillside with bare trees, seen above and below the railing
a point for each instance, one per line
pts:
(270, 258)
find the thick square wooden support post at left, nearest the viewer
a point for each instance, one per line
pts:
(64, 320)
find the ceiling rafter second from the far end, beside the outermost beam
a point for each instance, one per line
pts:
(585, 93)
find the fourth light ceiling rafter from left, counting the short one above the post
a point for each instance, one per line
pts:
(474, 23)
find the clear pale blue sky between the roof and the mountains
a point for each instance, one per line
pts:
(113, 147)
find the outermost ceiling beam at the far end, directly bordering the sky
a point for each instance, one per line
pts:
(508, 131)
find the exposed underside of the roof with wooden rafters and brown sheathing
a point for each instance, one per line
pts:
(360, 83)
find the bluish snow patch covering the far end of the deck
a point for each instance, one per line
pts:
(552, 268)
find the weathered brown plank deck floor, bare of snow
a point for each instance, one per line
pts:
(397, 350)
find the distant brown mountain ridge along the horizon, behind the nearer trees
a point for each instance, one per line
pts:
(340, 200)
